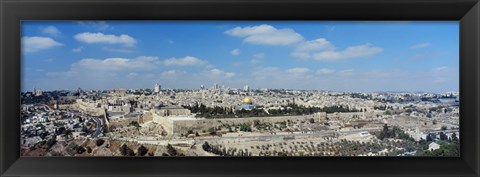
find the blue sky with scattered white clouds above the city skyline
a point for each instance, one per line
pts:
(323, 55)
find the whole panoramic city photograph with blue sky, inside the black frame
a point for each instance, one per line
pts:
(239, 88)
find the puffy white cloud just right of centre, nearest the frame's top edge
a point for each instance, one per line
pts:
(266, 35)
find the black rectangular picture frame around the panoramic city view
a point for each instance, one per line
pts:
(12, 12)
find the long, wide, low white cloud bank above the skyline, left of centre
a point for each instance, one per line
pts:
(130, 68)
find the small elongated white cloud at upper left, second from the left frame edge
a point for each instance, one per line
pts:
(91, 38)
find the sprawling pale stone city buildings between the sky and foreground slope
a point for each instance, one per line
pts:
(78, 111)
